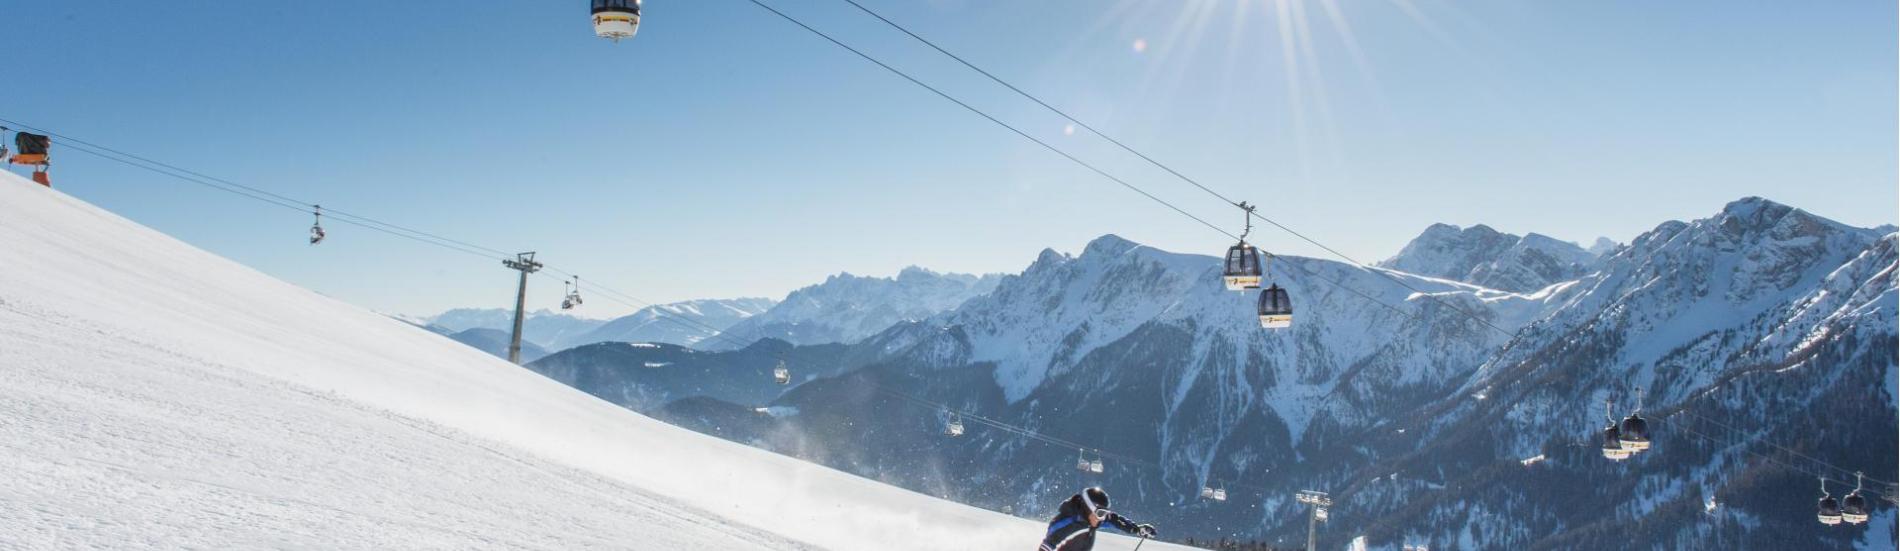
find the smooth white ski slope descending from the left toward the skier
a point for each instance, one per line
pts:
(159, 396)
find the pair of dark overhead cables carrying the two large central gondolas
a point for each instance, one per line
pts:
(1251, 214)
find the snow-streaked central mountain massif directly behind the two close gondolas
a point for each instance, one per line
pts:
(1145, 352)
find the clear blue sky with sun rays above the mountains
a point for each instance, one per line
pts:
(725, 153)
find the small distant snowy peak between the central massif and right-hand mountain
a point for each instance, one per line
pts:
(1492, 259)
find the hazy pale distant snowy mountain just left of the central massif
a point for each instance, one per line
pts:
(846, 309)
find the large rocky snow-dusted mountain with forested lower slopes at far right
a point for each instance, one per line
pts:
(1758, 326)
